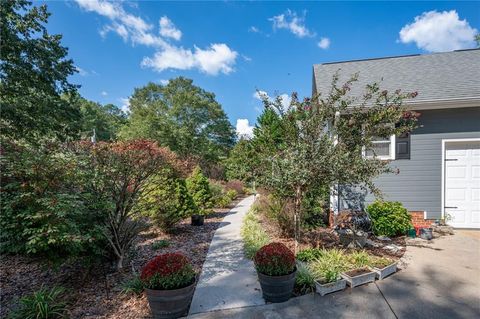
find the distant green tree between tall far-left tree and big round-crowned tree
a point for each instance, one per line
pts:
(106, 120)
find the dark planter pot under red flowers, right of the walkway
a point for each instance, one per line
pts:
(277, 288)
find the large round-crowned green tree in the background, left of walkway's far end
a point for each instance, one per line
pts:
(183, 117)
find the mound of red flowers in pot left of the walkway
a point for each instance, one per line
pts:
(167, 272)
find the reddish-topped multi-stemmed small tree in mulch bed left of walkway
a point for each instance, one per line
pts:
(116, 173)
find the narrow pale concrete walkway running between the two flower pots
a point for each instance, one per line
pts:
(228, 280)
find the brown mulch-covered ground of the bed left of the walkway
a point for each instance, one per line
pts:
(95, 291)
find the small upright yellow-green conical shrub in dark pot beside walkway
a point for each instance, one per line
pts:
(199, 188)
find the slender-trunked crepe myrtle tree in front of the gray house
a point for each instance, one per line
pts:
(320, 142)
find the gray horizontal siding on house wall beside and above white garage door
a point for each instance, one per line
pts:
(418, 185)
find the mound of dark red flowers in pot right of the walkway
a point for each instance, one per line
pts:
(275, 259)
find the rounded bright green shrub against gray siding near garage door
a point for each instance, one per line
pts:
(389, 218)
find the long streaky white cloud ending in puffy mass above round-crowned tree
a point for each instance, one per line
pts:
(215, 59)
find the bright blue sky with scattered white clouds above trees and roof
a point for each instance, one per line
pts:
(242, 51)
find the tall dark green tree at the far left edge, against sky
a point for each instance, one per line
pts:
(34, 73)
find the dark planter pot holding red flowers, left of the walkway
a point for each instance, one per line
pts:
(169, 304)
